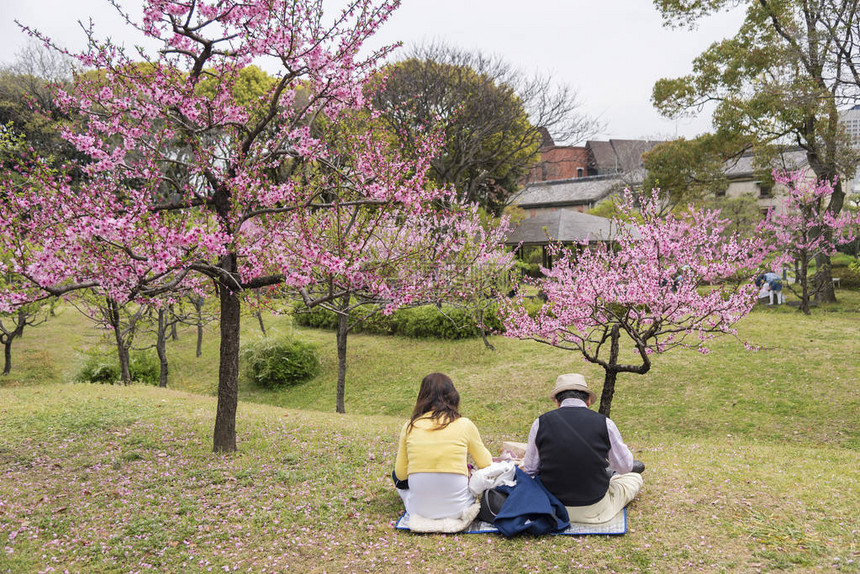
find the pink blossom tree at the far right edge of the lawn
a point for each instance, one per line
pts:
(806, 229)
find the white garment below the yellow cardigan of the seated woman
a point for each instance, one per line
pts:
(437, 495)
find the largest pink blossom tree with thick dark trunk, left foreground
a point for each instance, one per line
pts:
(186, 179)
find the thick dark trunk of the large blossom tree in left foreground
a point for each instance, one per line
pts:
(224, 436)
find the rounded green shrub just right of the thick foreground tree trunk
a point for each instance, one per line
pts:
(285, 362)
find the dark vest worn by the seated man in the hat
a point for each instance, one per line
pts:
(573, 445)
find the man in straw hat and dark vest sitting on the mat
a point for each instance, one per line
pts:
(570, 447)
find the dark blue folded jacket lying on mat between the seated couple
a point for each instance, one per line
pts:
(530, 507)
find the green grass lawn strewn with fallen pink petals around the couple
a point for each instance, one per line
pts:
(753, 457)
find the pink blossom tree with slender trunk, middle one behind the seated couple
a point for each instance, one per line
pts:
(438, 257)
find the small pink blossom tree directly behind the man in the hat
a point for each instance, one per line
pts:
(662, 283)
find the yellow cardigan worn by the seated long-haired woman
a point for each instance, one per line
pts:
(427, 448)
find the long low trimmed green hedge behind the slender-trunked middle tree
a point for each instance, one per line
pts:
(424, 322)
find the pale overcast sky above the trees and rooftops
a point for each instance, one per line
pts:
(610, 51)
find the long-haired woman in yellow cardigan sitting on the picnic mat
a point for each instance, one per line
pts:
(432, 453)
